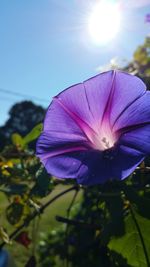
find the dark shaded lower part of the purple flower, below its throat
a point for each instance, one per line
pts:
(70, 159)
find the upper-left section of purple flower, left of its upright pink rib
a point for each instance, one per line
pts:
(72, 111)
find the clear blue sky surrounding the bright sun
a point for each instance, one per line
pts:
(45, 46)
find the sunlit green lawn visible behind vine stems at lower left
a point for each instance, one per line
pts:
(47, 222)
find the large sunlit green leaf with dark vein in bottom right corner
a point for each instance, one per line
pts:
(135, 244)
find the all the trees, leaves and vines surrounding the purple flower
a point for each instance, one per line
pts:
(47, 222)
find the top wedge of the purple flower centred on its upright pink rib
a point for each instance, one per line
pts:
(111, 93)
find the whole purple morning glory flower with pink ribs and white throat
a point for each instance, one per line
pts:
(97, 130)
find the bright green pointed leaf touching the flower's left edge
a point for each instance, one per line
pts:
(34, 134)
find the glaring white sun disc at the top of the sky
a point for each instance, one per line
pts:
(104, 22)
